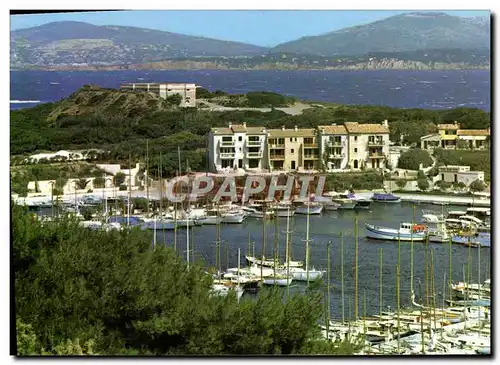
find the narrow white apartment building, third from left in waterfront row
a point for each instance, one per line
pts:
(334, 147)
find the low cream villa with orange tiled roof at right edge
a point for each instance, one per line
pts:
(450, 136)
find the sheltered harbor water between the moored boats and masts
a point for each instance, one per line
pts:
(327, 227)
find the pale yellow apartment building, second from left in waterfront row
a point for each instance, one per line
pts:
(293, 149)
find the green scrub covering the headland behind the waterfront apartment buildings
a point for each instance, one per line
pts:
(165, 130)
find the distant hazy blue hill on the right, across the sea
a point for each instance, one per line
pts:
(400, 33)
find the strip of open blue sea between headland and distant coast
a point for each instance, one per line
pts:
(394, 88)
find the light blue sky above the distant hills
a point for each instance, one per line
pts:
(265, 28)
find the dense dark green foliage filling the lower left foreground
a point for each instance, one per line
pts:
(80, 291)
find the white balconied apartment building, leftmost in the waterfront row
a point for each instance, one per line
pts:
(237, 147)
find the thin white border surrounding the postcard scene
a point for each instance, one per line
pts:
(194, 4)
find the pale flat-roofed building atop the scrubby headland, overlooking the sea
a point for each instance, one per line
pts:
(164, 90)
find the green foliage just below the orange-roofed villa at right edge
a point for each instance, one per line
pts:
(477, 160)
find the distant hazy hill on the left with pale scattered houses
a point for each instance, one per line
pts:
(77, 43)
